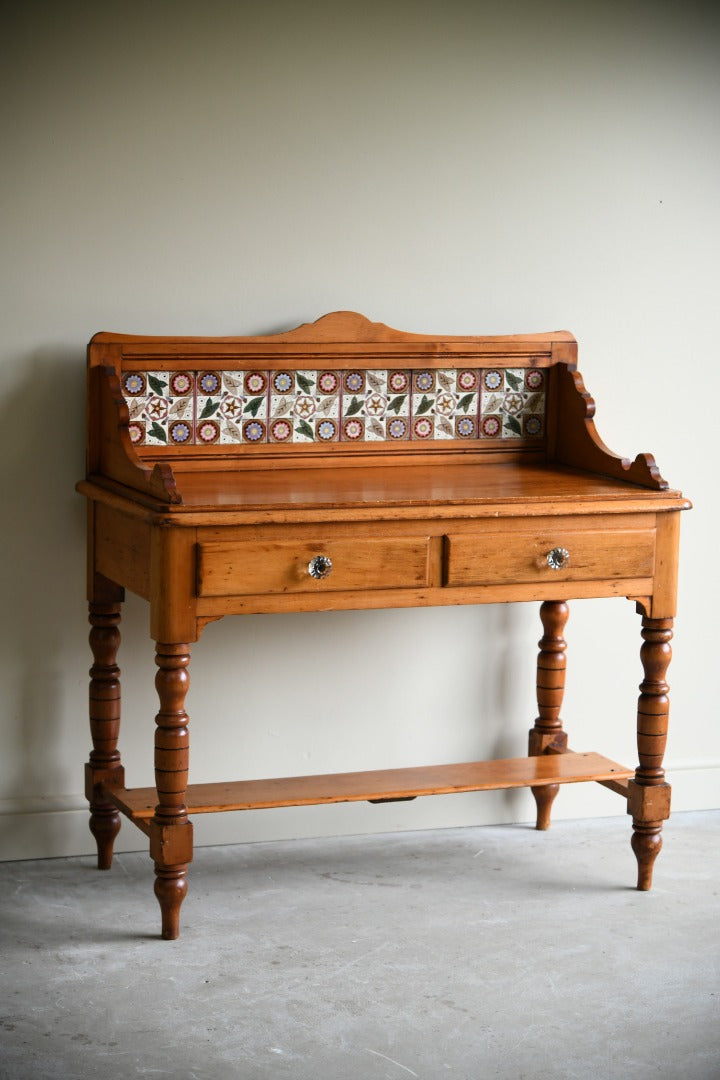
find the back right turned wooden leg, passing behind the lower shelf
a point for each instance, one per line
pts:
(548, 734)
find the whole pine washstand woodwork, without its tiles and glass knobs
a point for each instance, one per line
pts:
(201, 533)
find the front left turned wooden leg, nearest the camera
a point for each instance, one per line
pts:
(171, 832)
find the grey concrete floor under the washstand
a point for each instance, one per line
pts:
(473, 954)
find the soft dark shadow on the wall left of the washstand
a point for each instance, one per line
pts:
(42, 628)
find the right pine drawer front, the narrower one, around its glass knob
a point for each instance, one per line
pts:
(511, 559)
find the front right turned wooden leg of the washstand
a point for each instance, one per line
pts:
(649, 796)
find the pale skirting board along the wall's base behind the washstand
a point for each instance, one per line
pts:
(58, 828)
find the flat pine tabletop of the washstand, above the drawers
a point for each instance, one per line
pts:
(345, 489)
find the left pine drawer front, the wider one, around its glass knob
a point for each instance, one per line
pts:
(256, 568)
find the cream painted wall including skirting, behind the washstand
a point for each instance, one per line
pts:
(242, 168)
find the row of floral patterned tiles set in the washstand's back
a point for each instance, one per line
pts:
(236, 408)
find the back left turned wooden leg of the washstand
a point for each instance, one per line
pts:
(104, 766)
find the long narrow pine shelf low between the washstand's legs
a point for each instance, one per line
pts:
(387, 785)
